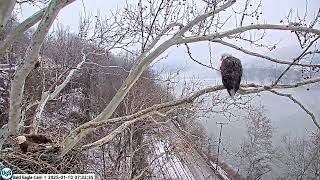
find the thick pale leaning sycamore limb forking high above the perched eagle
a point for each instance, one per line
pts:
(149, 56)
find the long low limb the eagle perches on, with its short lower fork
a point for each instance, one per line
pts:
(130, 119)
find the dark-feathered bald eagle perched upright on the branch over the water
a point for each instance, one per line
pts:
(231, 73)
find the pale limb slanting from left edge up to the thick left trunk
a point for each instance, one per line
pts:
(18, 31)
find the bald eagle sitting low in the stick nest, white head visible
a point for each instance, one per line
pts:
(33, 142)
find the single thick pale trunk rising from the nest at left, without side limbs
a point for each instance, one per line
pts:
(30, 59)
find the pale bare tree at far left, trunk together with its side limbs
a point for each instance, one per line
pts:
(30, 57)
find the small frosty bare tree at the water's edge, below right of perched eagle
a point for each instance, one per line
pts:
(257, 150)
